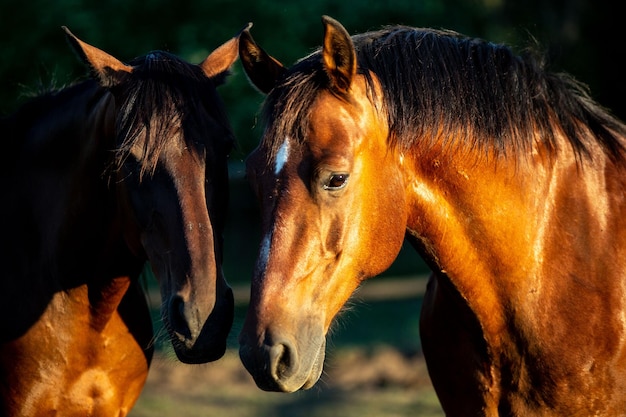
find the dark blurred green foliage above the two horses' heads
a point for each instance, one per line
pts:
(584, 38)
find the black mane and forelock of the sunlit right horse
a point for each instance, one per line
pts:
(440, 84)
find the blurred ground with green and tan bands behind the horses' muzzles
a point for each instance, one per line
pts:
(374, 367)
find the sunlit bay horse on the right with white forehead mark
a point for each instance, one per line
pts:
(509, 180)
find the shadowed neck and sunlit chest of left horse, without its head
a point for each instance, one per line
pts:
(70, 328)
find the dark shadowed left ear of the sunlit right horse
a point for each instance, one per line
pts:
(262, 70)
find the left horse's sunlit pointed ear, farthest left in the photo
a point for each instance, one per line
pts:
(107, 68)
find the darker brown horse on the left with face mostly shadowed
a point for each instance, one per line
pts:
(98, 178)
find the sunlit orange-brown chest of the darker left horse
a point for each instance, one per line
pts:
(73, 368)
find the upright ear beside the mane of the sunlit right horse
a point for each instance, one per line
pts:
(338, 55)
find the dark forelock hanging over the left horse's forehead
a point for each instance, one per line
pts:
(178, 92)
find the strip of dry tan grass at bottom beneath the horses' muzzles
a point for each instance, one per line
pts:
(383, 383)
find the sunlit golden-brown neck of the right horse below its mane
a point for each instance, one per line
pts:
(496, 228)
